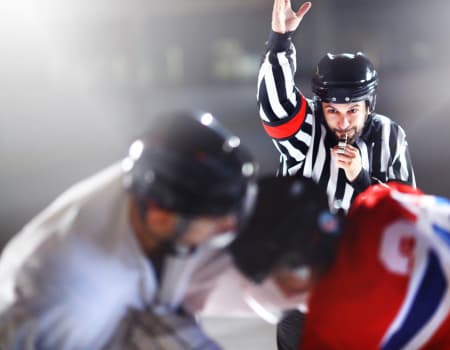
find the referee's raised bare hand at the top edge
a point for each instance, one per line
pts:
(284, 18)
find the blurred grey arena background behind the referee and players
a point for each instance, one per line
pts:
(80, 79)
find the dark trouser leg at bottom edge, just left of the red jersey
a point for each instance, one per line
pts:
(289, 330)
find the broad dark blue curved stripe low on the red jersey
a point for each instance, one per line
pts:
(428, 297)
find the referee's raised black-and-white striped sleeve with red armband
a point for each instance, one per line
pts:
(285, 114)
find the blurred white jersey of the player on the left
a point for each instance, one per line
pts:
(69, 277)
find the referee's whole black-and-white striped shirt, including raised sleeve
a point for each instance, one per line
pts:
(304, 141)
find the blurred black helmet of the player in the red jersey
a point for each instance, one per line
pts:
(291, 226)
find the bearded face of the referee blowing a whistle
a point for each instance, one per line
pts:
(345, 119)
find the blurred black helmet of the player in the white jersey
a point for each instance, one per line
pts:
(190, 164)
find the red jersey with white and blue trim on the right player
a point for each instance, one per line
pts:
(389, 285)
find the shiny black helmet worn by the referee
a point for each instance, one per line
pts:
(345, 78)
